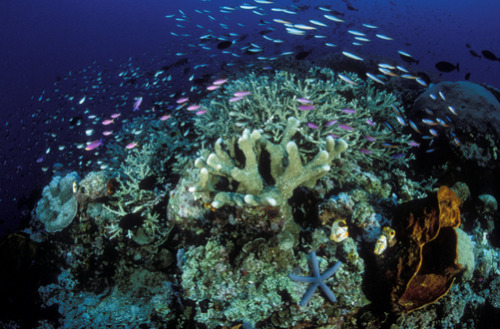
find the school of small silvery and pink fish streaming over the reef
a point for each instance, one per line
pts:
(87, 106)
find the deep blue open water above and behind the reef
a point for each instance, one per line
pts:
(68, 65)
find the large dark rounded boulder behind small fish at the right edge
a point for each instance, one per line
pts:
(466, 119)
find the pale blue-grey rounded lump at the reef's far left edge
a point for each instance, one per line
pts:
(58, 206)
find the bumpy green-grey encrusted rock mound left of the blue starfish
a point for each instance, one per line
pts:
(249, 289)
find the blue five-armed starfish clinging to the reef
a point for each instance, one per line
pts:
(316, 280)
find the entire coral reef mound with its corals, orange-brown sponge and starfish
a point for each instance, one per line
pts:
(214, 220)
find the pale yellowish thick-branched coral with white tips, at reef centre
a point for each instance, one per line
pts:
(255, 187)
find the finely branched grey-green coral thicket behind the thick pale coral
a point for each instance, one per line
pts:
(327, 106)
